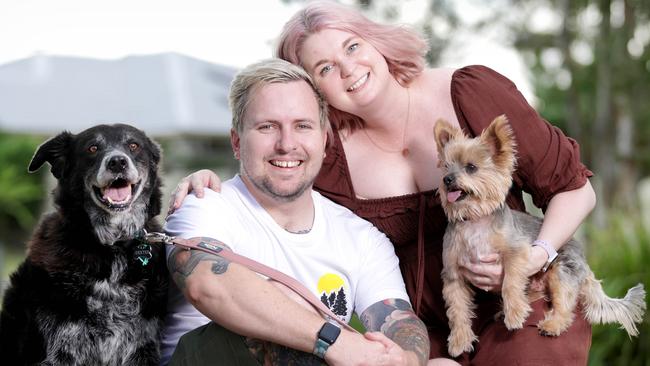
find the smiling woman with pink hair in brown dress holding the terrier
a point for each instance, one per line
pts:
(381, 163)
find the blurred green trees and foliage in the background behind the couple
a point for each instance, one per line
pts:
(589, 64)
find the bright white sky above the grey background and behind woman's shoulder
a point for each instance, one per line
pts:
(233, 33)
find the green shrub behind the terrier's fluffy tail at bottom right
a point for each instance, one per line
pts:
(620, 257)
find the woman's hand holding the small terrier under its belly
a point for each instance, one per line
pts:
(484, 272)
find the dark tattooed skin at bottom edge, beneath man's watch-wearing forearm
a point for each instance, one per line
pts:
(268, 353)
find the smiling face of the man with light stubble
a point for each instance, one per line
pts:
(282, 143)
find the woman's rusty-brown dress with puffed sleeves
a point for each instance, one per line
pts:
(548, 163)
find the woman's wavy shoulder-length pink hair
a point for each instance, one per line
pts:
(402, 47)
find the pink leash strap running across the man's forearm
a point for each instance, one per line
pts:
(212, 246)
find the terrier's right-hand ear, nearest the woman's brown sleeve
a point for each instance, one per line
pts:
(501, 140)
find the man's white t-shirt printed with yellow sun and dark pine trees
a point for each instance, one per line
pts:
(344, 260)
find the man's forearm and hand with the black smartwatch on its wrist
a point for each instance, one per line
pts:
(243, 302)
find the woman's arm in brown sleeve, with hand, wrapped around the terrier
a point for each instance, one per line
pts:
(548, 164)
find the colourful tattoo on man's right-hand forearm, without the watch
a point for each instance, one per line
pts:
(396, 319)
